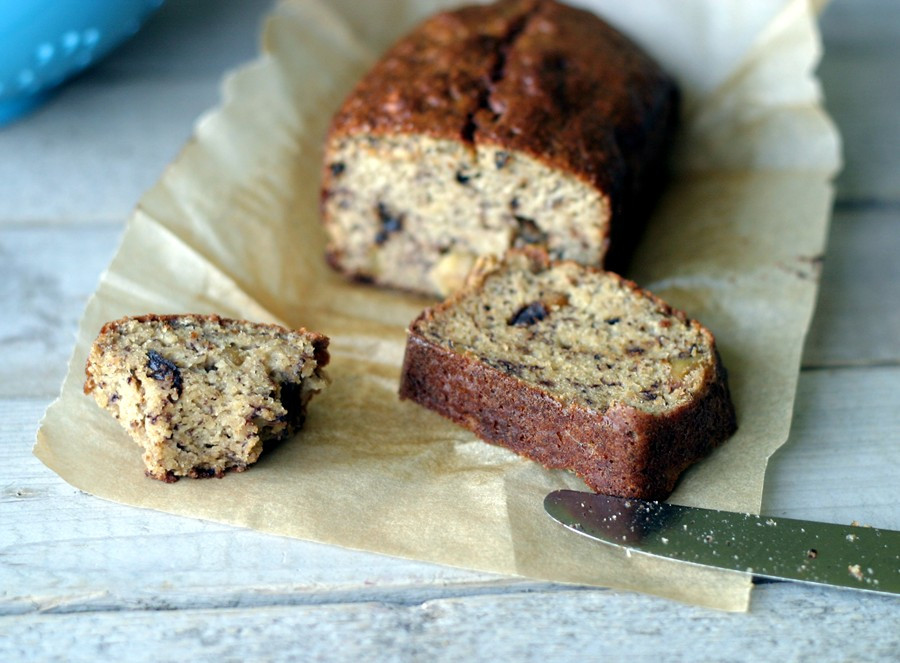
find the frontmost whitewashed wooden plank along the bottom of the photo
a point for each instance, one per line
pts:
(787, 623)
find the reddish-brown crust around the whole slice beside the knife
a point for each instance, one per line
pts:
(617, 448)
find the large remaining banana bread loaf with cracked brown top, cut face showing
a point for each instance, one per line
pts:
(525, 122)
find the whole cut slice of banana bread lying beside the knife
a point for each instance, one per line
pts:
(574, 368)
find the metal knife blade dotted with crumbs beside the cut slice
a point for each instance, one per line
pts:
(850, 556)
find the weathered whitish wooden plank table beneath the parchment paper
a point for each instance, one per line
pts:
(81, 578)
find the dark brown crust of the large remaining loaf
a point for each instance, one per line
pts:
(531, 77)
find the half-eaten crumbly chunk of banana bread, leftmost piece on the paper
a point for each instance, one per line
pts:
(202, 394)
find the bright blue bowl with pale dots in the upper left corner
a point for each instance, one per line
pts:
(44, 42)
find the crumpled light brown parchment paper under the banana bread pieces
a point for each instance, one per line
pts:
(232, 228)
